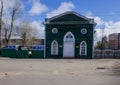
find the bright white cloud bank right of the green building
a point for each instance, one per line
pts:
(109, 27)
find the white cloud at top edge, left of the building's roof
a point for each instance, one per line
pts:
(37, 8)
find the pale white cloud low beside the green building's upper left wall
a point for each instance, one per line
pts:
(39, 28)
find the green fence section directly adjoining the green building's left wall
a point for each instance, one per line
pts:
(38, 54)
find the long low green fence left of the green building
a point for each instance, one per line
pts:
(39, 54)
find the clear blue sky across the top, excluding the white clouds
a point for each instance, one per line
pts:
(106, 9)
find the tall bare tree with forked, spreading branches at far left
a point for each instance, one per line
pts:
(12, 8)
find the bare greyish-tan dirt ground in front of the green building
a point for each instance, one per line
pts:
(58, 72)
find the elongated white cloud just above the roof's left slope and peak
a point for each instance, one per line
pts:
(65, 6)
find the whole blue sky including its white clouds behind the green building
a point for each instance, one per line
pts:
(106, 13)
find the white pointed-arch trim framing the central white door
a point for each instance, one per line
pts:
(64, 41)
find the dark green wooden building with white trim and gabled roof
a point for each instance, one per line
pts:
(69, 35)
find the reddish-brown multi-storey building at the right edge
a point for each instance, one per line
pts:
(114, 41)
